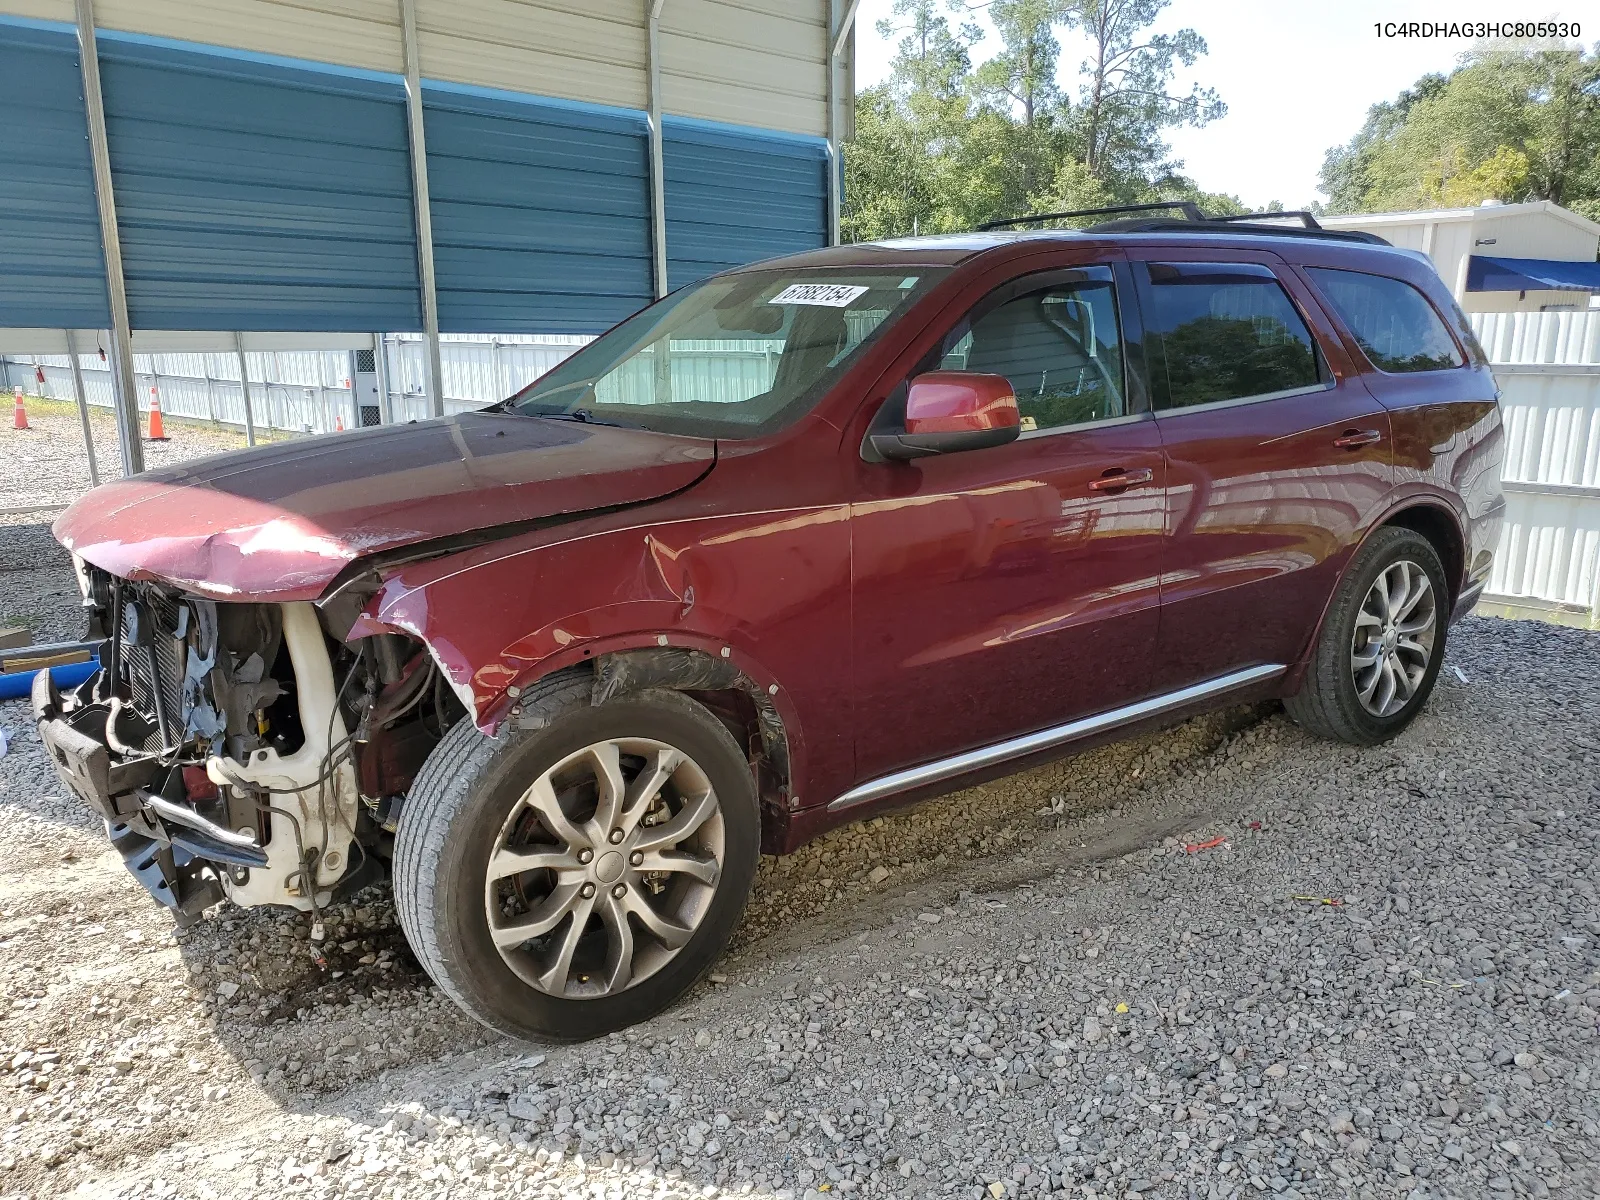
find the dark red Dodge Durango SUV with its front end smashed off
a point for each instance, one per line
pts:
(794, 546)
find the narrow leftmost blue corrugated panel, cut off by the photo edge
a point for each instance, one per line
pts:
(52, 271)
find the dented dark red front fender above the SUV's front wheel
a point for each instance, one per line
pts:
(761, 590)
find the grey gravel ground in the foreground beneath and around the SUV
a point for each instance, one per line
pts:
(1382, 982)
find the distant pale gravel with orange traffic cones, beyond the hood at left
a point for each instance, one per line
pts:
(47, 465)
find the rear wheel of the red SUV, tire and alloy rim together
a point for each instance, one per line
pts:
(1382, 644)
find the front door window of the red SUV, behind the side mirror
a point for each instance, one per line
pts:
(1060, 346)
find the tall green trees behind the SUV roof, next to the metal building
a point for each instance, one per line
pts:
(945, 146)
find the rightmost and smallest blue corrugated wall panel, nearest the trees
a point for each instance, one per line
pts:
(737, 196)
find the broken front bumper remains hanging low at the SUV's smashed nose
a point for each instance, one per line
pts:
(175, 852)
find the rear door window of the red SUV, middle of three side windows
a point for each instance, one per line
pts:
(1226, 332)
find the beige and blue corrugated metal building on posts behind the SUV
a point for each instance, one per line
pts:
(324, 169)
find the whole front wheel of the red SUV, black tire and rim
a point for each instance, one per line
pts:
(580, 873)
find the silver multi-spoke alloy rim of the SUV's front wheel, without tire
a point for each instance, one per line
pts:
(604, 868)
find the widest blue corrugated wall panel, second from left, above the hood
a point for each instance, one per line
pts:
(258, 196)
